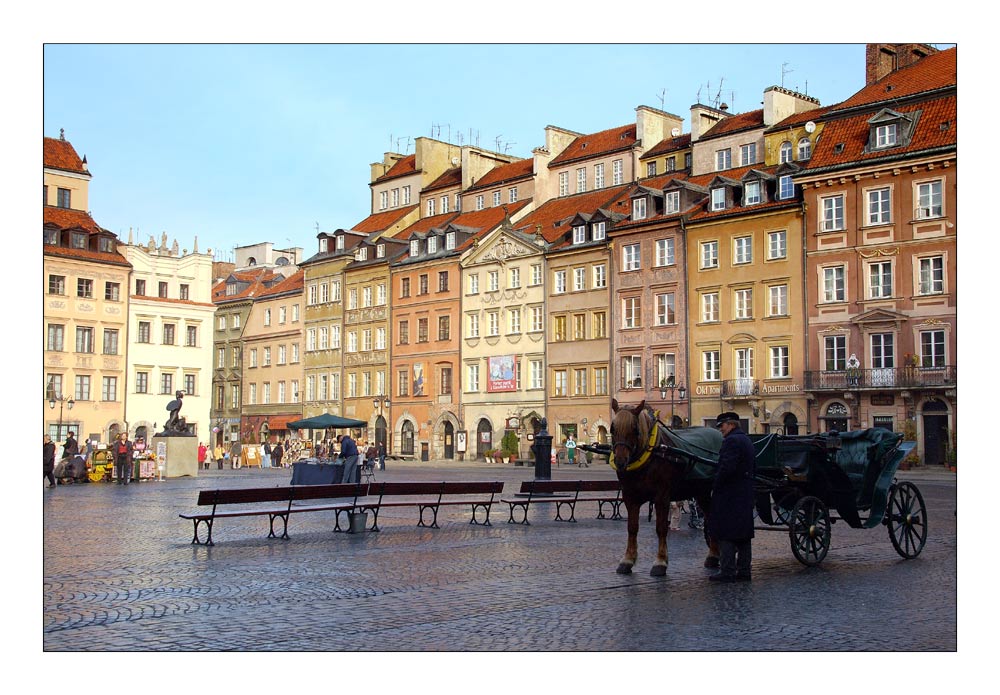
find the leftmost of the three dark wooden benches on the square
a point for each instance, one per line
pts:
(285, 495)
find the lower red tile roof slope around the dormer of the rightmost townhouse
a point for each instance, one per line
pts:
(936, 127)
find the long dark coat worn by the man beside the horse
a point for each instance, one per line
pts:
(731, 515)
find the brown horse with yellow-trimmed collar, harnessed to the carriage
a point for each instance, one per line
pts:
(649, 473)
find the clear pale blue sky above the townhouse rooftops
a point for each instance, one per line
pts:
(242, 143)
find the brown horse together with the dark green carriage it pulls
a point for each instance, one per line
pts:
(803, 484)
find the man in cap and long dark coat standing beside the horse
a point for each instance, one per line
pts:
(731, 519)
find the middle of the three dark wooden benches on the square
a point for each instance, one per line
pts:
(434, 498)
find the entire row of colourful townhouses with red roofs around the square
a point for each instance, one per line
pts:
(795, 264)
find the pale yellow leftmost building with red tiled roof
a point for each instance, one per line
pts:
(85, 312)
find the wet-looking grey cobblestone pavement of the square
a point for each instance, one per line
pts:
(120, 574)
